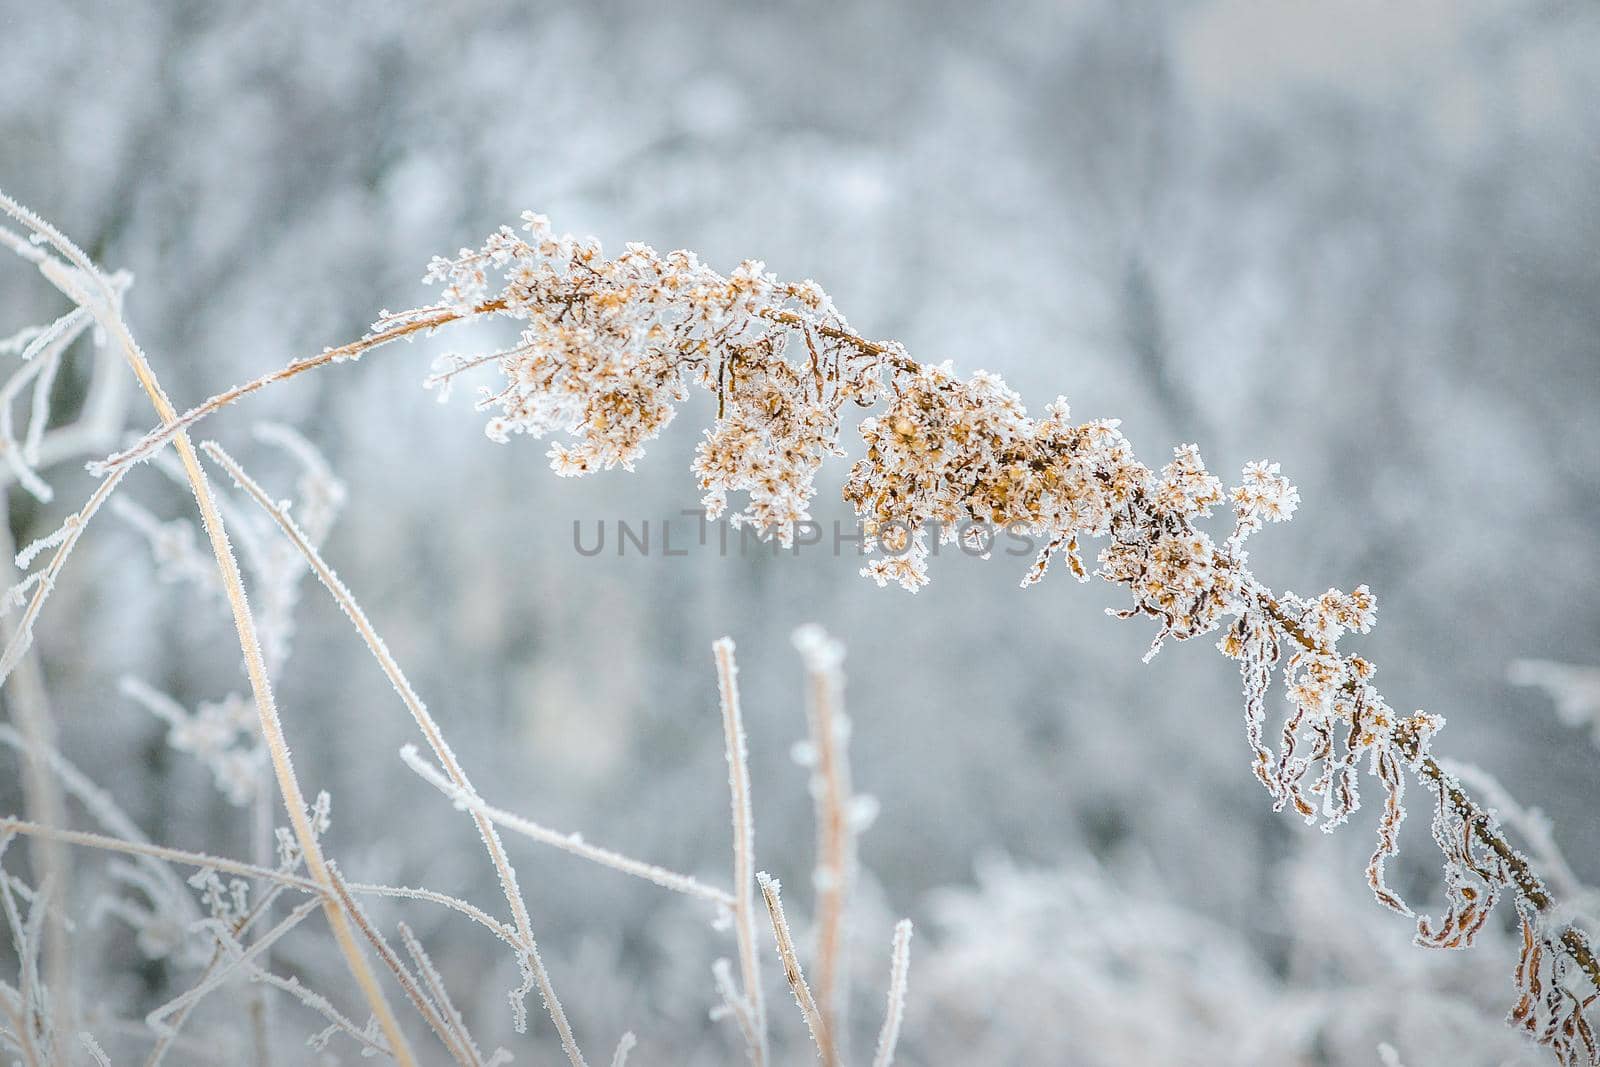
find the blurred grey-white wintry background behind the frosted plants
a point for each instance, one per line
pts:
(1358, 239)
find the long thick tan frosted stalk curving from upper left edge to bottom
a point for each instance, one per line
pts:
(100, 305)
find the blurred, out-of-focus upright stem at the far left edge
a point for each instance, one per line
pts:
(42, 796)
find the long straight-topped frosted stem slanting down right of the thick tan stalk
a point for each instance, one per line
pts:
(431, 733)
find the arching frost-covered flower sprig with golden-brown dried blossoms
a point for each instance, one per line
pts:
(610, 346)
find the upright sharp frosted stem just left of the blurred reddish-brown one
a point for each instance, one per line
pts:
(743, 844)
